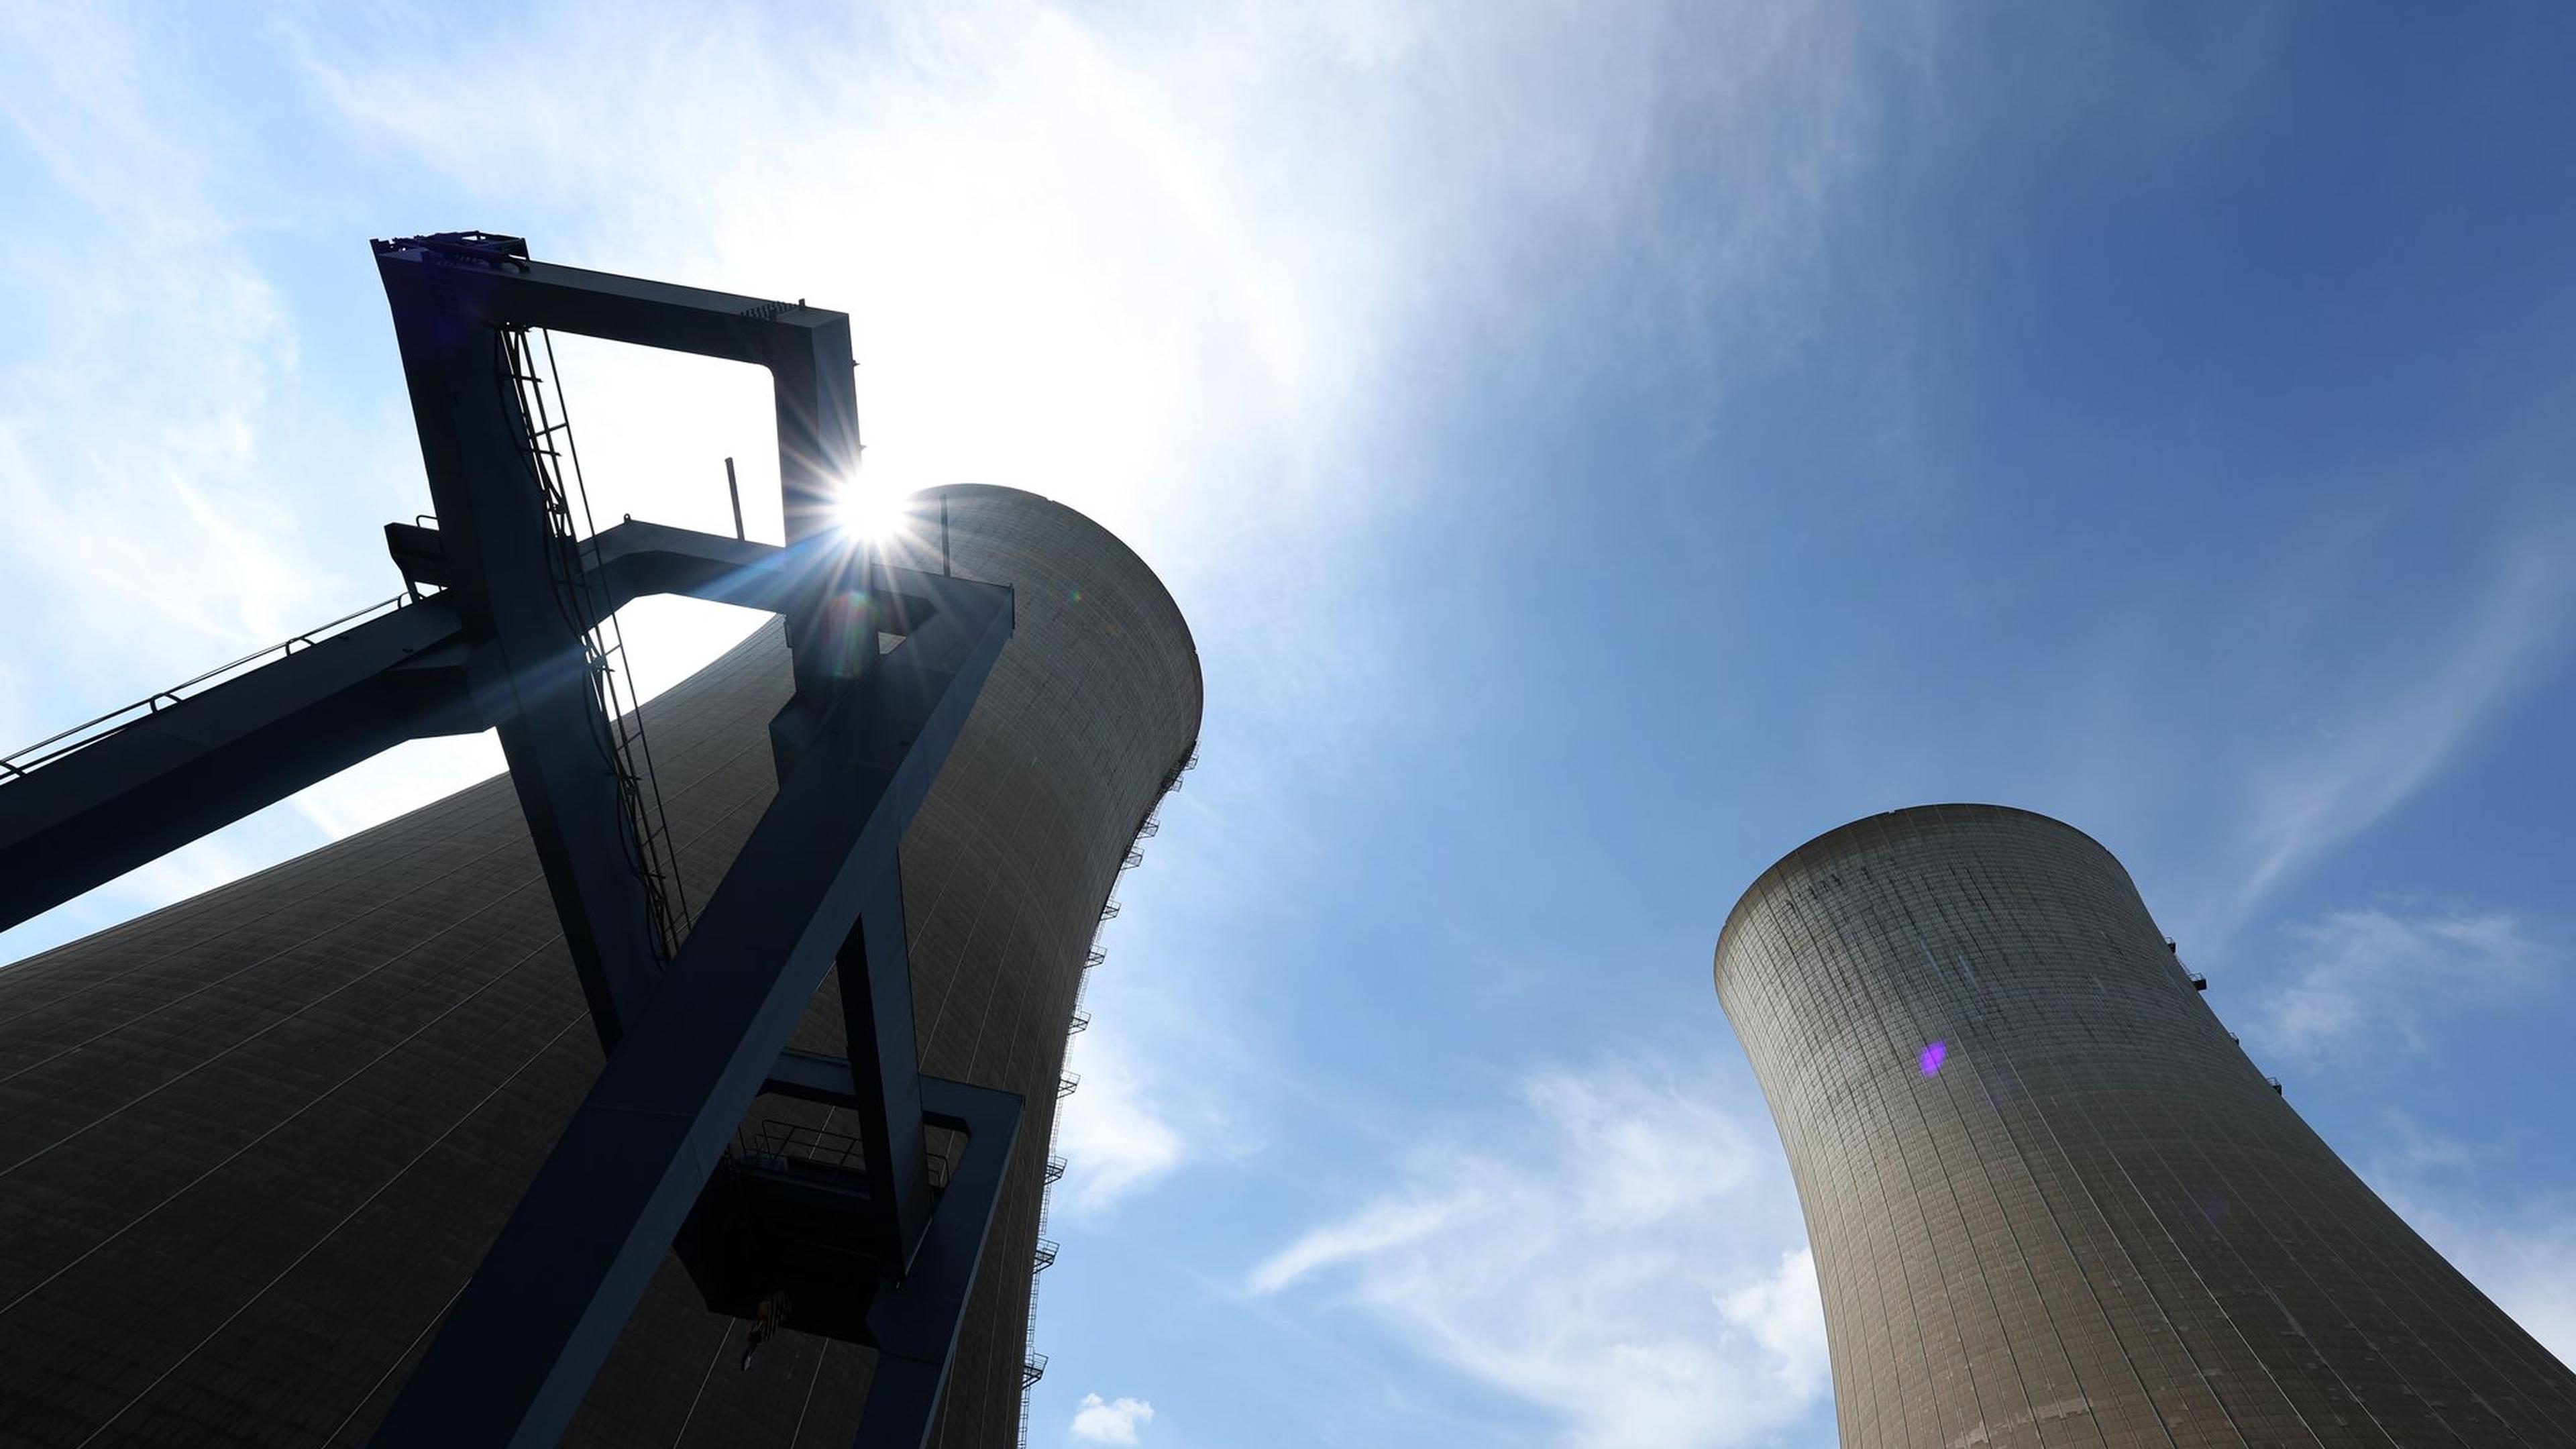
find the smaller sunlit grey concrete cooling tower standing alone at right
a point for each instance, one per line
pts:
(2052, 1200)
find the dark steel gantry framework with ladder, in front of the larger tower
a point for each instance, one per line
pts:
(498, 630)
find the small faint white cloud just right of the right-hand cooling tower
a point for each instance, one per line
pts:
(2376, 976)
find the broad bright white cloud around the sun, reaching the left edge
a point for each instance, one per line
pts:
(1168, 272)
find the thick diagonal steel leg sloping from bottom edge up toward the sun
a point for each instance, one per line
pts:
(527, 1337)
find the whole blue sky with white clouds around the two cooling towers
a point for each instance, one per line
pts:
(1596, 445)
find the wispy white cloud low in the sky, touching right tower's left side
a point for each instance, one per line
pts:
(1619, 1252)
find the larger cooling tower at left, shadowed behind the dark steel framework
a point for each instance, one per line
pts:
(254, 1146)
